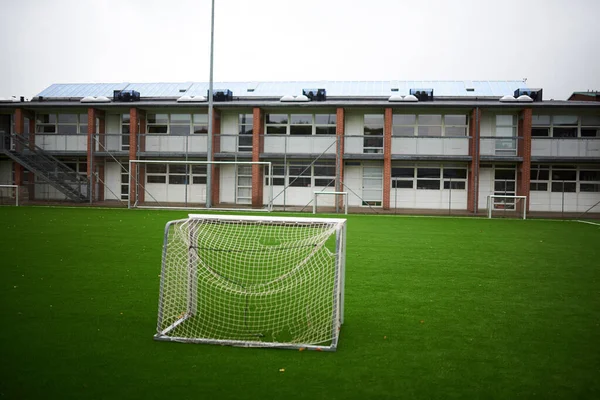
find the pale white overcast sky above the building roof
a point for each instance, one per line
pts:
(555, 44)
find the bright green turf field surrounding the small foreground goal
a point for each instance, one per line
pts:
(436, 308)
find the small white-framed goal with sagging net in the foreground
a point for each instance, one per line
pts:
(253, 281)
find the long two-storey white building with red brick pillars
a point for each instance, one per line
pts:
(390, 145)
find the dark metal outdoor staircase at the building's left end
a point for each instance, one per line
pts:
(46, 167)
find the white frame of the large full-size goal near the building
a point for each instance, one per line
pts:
(134, 180)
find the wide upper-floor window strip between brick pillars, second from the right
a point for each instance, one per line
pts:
(429, 125)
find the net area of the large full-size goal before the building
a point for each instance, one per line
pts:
(182, 184)
